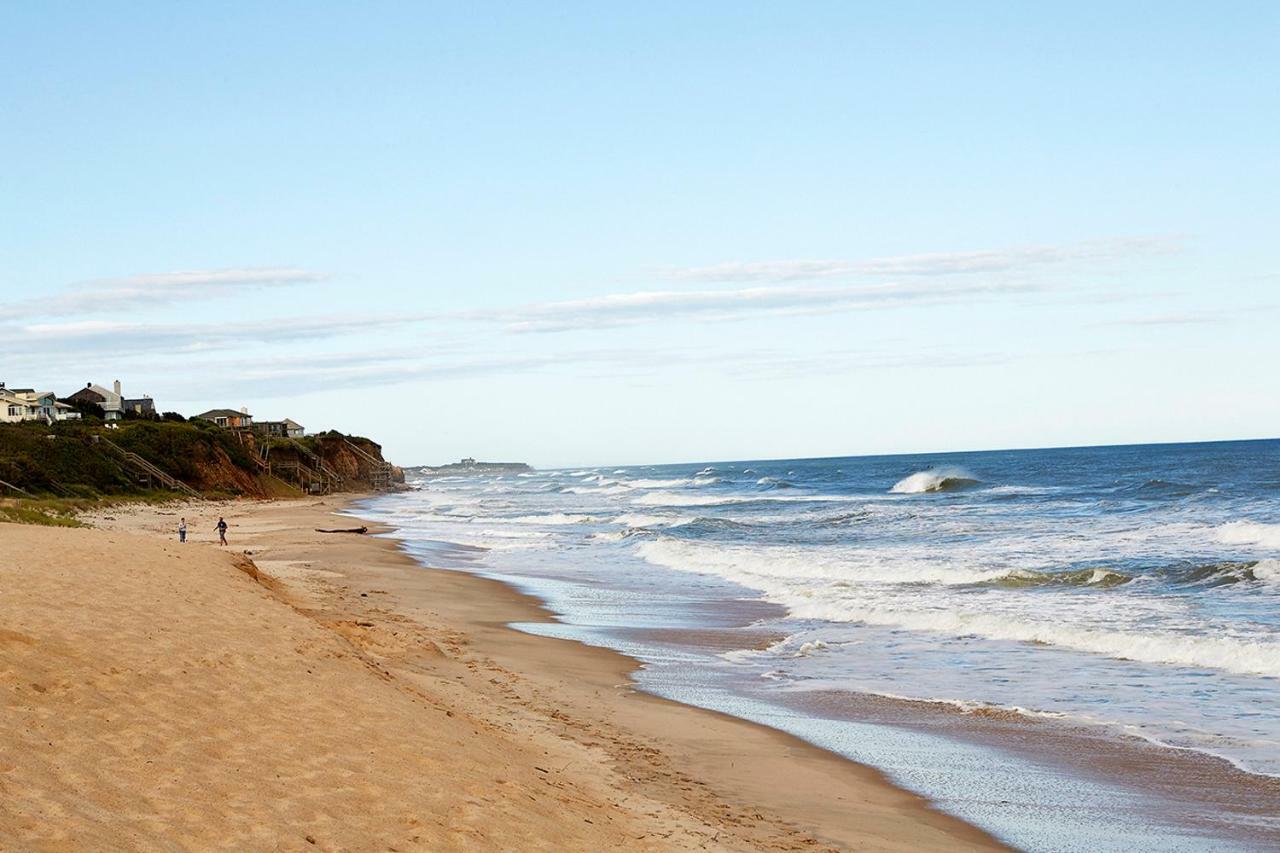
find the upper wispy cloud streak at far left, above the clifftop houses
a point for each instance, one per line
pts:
(158, 290)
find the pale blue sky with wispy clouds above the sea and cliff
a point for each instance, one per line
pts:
(627, 234)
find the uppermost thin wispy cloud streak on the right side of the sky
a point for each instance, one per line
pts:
(1004, 261)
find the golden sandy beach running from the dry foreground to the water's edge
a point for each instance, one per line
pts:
(304, 691)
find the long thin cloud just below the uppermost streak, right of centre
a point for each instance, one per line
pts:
(648, 307)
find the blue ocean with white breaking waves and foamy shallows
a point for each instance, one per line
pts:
(1075, 649)
